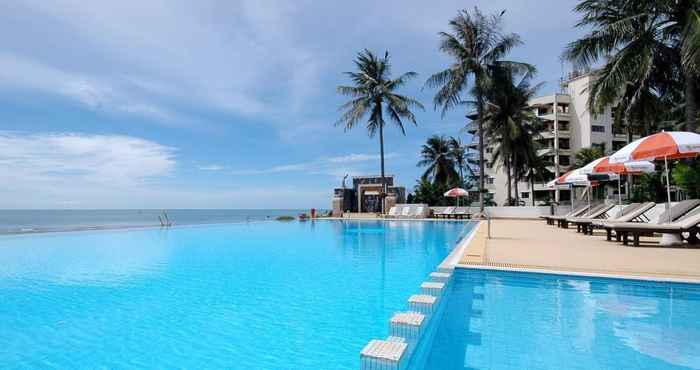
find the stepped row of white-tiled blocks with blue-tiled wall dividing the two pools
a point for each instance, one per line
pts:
(410, 332)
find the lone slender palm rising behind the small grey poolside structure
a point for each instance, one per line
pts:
(373, 92)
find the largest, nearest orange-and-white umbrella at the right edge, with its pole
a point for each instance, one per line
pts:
(662, 145)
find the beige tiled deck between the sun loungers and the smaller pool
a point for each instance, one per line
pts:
(532, 244)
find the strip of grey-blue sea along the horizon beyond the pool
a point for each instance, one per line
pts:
(60, 220)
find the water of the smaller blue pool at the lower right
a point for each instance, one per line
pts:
(510, 320)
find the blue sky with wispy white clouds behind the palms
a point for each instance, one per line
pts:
(221, 104)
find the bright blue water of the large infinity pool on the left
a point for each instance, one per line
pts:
(267, 295)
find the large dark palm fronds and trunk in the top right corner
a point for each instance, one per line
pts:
(640, 42)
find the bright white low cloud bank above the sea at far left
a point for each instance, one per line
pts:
(49, 160)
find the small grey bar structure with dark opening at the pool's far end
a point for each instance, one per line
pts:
(365, 195)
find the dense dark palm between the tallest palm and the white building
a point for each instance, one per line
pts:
(512, 126)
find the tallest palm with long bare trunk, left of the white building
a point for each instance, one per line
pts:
(475, 43)
